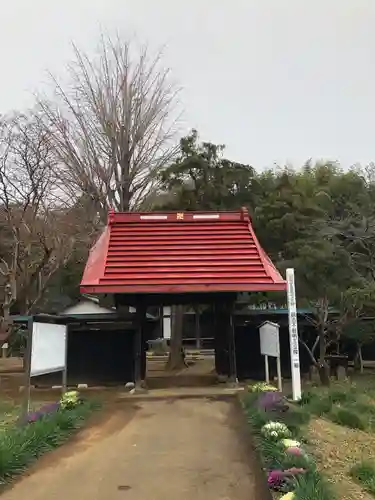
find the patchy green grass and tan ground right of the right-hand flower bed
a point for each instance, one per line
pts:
(352, 406)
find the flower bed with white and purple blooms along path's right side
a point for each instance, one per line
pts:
(278, 430)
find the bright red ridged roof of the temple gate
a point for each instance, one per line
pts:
(177, 253)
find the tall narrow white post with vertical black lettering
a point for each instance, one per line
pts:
(293, 335)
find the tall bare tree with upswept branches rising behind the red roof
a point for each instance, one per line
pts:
(112, 125)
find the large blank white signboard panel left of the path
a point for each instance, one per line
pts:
(48, 348)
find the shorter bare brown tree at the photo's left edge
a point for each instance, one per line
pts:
(37, 235)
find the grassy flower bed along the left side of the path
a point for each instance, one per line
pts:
(41, 431)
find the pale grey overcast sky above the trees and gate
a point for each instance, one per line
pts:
(275, 80)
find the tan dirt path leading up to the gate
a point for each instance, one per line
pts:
(158, 450)
